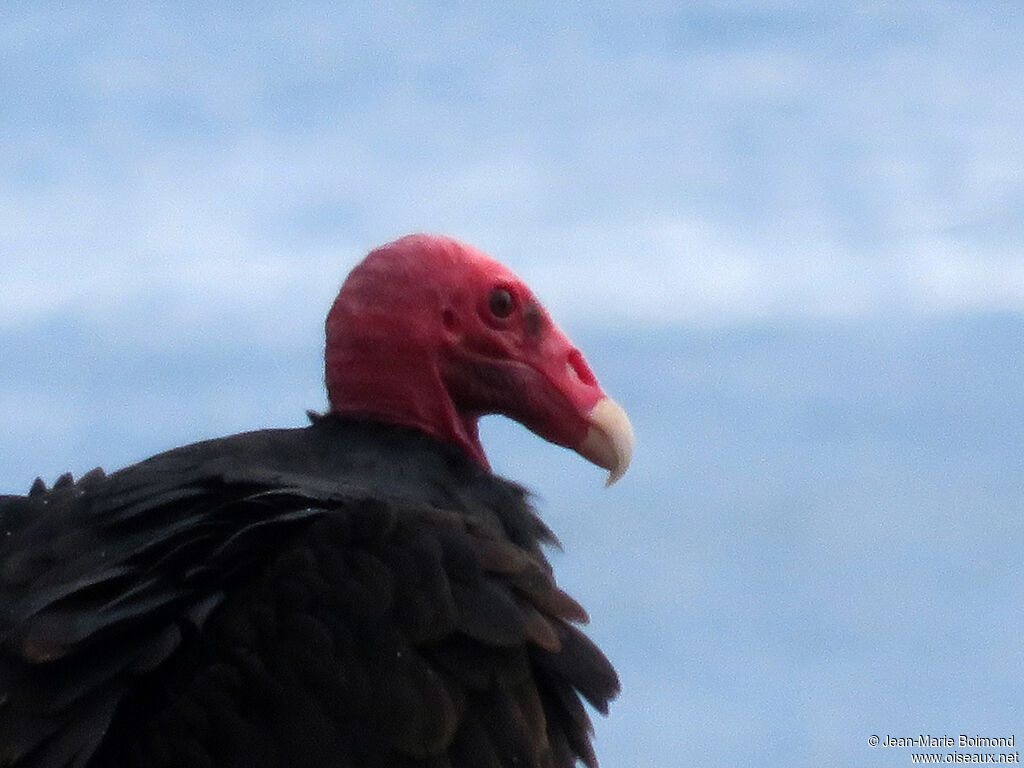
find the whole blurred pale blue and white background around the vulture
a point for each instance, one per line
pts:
(787, 235)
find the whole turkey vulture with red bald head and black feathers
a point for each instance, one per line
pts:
(359, 593)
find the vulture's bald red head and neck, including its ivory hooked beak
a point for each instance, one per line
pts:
(432, 333)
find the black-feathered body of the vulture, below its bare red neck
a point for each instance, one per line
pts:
(347, 595)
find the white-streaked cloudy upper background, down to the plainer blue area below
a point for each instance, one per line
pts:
(730, 163)
